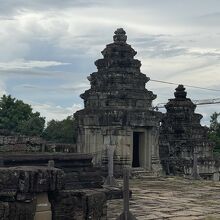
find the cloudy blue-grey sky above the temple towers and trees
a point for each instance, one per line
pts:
(48, 48)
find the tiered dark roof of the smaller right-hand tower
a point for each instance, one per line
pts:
(181, 119)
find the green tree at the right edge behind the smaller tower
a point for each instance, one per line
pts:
(214, 131)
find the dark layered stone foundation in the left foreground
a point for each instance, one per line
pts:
(38, 192)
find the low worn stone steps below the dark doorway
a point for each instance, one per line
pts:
(141, 173)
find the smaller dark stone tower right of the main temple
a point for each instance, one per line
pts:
(181, 135)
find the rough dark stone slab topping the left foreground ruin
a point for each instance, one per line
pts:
(31, 179)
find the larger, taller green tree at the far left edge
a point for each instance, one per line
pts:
(17, 116)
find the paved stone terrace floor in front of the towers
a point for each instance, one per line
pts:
(171, 198)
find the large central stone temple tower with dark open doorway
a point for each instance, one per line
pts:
(118, 110)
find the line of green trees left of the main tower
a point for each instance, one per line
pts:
(17, 116)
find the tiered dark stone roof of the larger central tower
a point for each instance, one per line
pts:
(118, 83)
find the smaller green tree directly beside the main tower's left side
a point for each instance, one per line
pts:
(61, 131)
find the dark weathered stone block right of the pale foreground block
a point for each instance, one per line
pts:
(79, 205)
